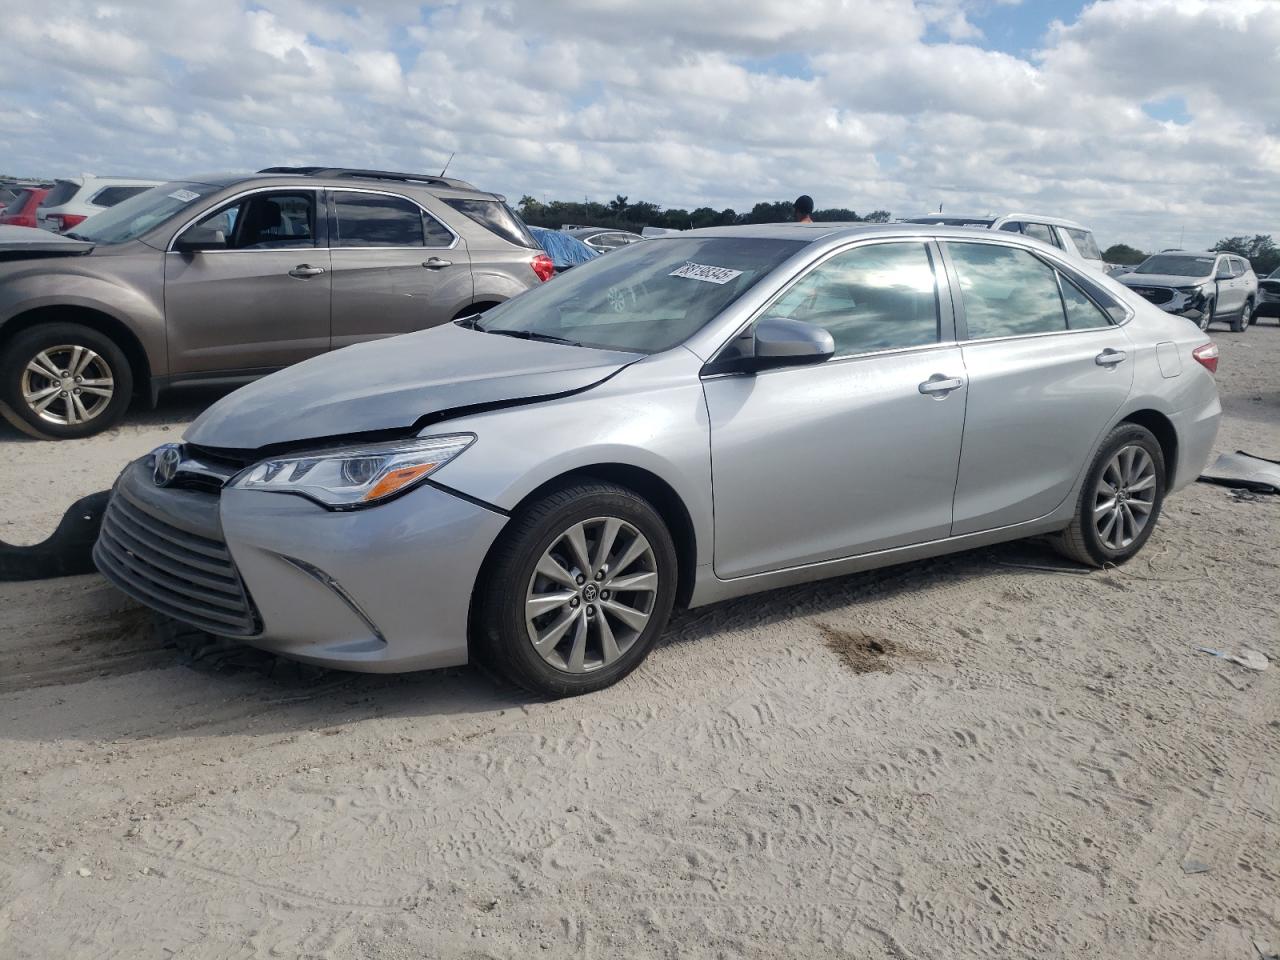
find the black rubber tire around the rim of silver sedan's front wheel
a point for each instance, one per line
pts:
(501, 639)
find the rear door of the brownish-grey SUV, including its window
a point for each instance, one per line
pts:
(396, 268)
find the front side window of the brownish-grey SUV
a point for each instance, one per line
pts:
(281, 221)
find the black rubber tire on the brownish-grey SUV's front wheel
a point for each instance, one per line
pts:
(28, 346)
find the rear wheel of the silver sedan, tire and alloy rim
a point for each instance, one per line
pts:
(1096, 543)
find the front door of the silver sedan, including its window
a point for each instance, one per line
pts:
(854, 455)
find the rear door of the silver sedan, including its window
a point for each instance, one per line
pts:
(1048, 369)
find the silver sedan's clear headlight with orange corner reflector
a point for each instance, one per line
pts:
(350, 478)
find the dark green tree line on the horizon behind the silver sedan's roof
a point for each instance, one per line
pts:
(624, 214)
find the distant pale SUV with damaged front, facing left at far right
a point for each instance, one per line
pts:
(1203, 286)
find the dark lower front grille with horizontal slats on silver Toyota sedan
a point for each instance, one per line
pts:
(181, 574)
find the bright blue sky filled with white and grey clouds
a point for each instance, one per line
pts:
(1144, 118)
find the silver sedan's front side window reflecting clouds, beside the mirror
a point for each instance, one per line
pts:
(870, 299)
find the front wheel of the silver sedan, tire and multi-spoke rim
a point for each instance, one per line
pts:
(575, 659)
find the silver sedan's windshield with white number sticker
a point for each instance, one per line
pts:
(646, 298)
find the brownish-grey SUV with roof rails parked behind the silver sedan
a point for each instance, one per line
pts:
(228, 278)
